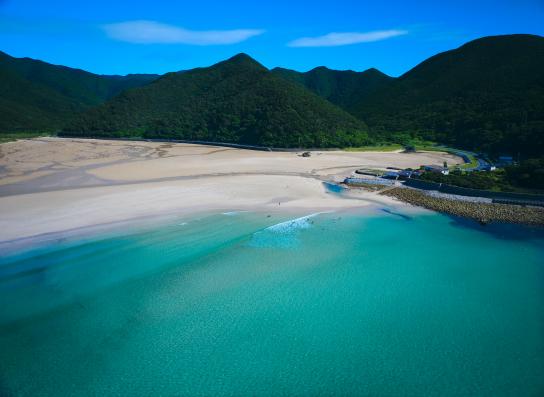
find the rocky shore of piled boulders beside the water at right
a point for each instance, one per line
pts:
(480, 211)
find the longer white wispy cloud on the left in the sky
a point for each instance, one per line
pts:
(151, 32)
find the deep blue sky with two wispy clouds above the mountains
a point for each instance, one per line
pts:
(119, 37)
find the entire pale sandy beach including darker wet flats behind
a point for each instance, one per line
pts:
(50, 185)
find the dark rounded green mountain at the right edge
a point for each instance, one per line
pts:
(486, 95)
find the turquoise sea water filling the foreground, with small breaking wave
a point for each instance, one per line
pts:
(244, 304)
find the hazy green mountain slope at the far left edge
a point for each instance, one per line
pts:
(37, 96)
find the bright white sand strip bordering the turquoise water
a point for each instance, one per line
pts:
(40, 214)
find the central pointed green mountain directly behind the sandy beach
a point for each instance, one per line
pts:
(237, 100)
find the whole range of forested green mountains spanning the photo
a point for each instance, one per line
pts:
(487, 95)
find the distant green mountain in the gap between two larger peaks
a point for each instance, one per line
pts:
(344, 88)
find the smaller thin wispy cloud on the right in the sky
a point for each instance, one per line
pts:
(338, 39)
